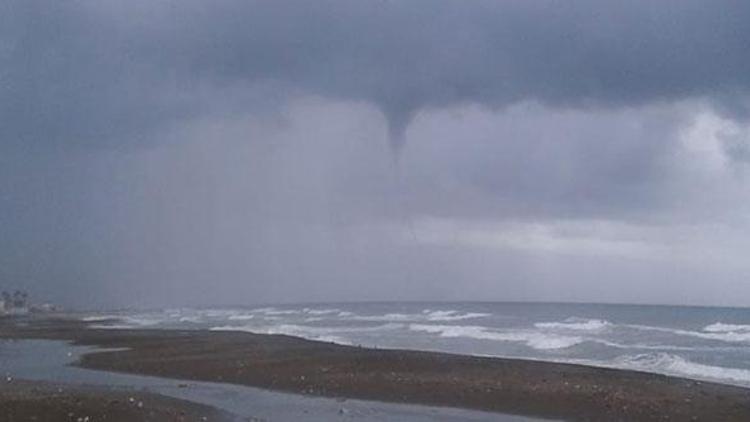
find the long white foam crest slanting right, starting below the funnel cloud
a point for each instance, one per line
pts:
(533, 339)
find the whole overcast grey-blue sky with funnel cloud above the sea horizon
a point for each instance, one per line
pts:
(234, 152)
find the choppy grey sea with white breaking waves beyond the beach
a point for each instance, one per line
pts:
(707, 343)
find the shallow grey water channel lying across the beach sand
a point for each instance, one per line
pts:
(44, 360)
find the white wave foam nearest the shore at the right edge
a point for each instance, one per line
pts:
(670, 364)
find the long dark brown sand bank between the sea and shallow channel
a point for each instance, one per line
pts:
(564, 391)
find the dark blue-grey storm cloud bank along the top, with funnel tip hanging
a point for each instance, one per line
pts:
(108, 72)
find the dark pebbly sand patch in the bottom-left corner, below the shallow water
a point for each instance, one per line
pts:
(37, 401)
